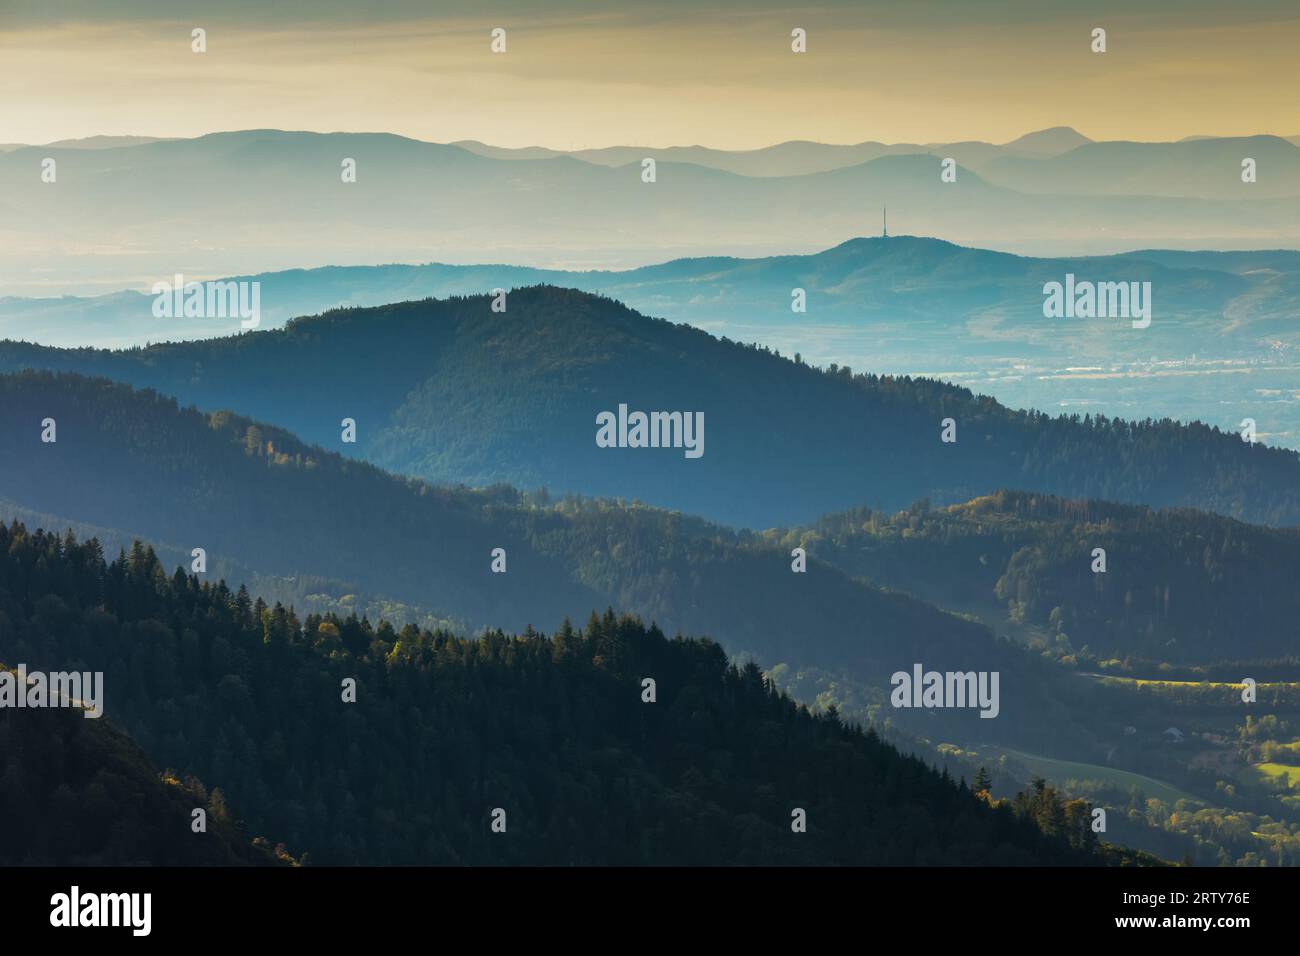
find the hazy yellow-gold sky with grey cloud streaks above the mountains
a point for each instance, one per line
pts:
(656, 73)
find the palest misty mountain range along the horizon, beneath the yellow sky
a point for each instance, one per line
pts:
(272, 200)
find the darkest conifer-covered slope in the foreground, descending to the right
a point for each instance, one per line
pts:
(504, 750)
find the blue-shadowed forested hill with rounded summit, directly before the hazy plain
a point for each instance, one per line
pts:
(452, 391)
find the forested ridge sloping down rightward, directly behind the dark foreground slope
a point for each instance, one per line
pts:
(136, 462)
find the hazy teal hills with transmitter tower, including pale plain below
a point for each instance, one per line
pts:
(1220, 347)
